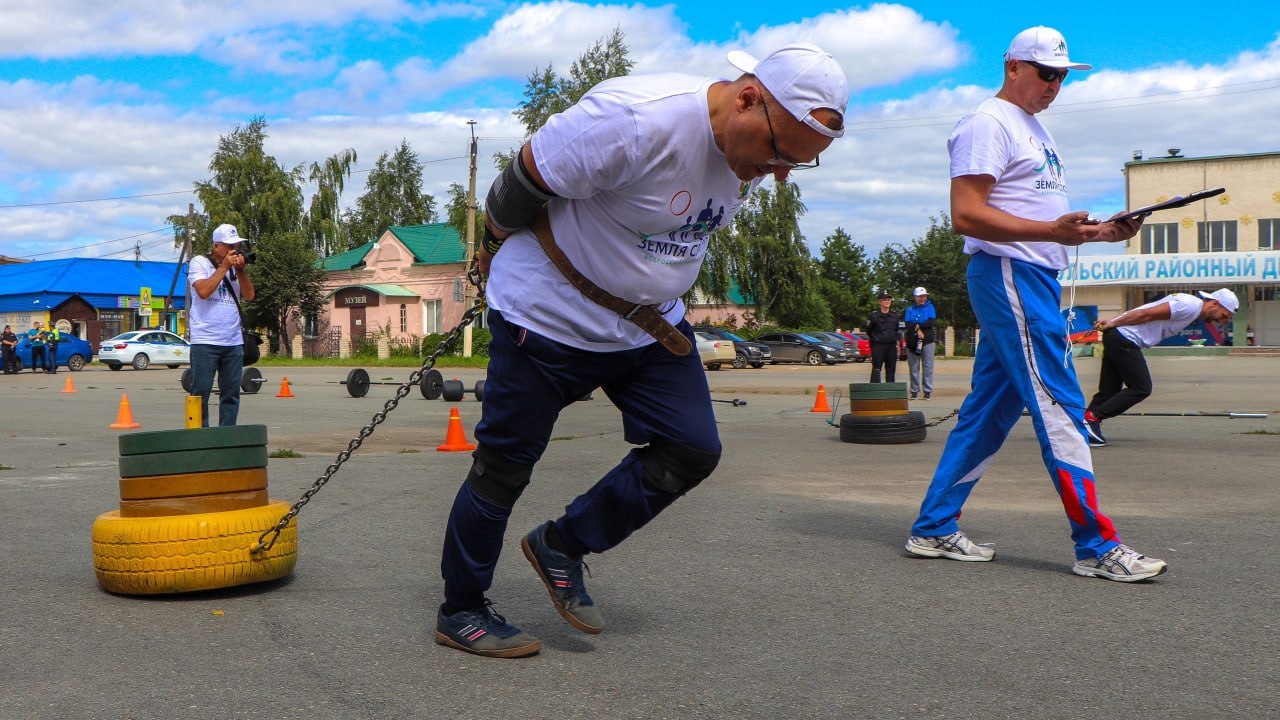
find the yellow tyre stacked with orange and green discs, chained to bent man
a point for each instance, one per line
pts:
(193, 505)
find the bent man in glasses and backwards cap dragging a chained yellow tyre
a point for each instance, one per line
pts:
(578, 303)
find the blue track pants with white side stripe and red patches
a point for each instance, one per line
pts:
(1022, 363)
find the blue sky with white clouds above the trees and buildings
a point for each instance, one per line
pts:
(129, 98)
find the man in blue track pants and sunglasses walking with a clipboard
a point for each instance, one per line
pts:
(1009, 200)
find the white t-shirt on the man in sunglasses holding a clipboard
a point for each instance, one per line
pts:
(1009, 144)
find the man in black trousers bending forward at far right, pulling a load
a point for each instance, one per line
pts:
(1124, 380)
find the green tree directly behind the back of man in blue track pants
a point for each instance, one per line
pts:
(936, 262)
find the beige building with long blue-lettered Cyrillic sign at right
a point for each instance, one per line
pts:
(1227, 241)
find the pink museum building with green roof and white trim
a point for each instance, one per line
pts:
(406, 285)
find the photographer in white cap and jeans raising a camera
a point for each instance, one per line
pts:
(220, 281)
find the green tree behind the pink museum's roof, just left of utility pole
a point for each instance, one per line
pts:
(394, 197)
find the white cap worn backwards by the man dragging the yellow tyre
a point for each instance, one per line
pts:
(803, 79)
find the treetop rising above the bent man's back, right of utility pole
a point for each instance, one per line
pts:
(547, 93)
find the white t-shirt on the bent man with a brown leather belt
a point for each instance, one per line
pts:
(641, 189)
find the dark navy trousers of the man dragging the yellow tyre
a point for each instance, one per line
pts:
(532, 379)
